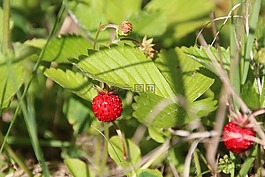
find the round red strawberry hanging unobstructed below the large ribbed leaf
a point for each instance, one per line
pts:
(107, 106)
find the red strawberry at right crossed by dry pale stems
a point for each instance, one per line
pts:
(235, 137)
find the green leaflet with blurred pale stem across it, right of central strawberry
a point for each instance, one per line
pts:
(153, 110)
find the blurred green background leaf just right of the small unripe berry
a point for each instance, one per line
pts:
(148, 23)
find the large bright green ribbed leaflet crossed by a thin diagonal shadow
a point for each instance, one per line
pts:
(128, 68)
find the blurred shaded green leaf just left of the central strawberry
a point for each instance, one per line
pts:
(78, 115)
